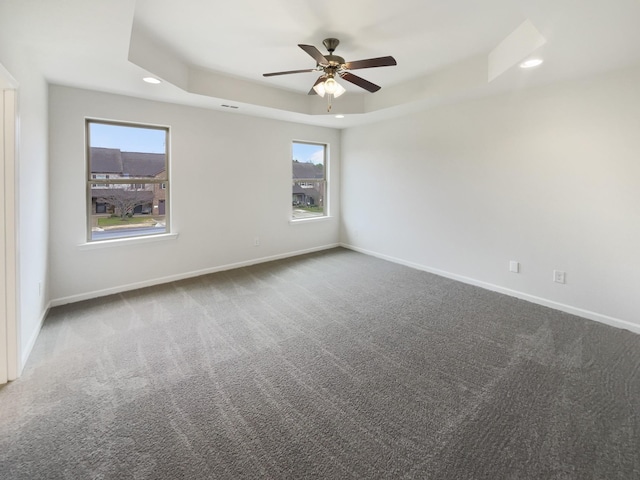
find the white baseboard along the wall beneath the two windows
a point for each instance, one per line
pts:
(181, 276)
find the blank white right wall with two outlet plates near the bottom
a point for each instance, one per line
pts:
(548, 177)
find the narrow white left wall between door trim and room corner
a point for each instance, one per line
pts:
(32, 188)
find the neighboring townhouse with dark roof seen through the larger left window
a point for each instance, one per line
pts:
(113, 164)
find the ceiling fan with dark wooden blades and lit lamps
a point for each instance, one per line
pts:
(333, 66)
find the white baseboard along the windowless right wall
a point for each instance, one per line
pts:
(598, 317)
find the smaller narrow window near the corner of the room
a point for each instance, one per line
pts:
(309, 194)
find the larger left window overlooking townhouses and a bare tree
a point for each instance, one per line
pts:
(118, 153)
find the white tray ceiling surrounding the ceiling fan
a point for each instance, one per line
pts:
(211, 53)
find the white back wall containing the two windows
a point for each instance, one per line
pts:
(231, 182)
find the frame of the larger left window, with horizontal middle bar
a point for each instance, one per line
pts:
(125, 180)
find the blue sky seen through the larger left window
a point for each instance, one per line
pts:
(127, 139)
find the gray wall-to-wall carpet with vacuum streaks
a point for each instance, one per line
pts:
(331, 365)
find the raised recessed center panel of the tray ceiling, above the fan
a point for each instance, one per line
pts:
(250, 38)
